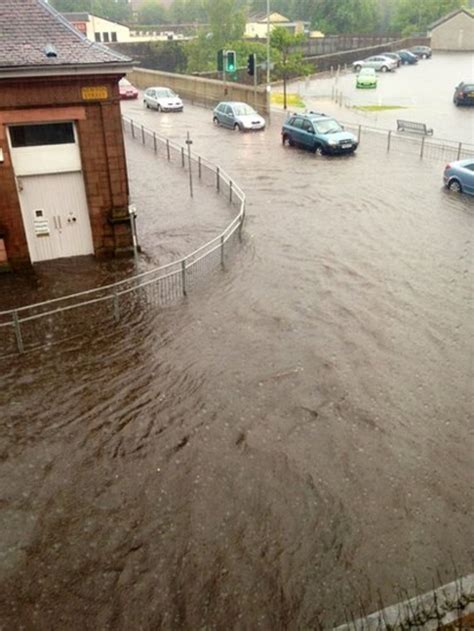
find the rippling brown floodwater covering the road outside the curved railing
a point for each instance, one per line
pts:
(290, 444)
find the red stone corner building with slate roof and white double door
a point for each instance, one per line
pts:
(63, 176)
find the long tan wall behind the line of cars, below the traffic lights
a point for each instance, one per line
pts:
(199, 90)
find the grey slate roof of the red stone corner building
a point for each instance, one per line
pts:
(28, 26)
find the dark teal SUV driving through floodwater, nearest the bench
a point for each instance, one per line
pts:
(319, 133)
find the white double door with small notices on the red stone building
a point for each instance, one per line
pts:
(55, 215)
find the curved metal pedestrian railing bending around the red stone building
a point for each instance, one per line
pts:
(50, 322)
